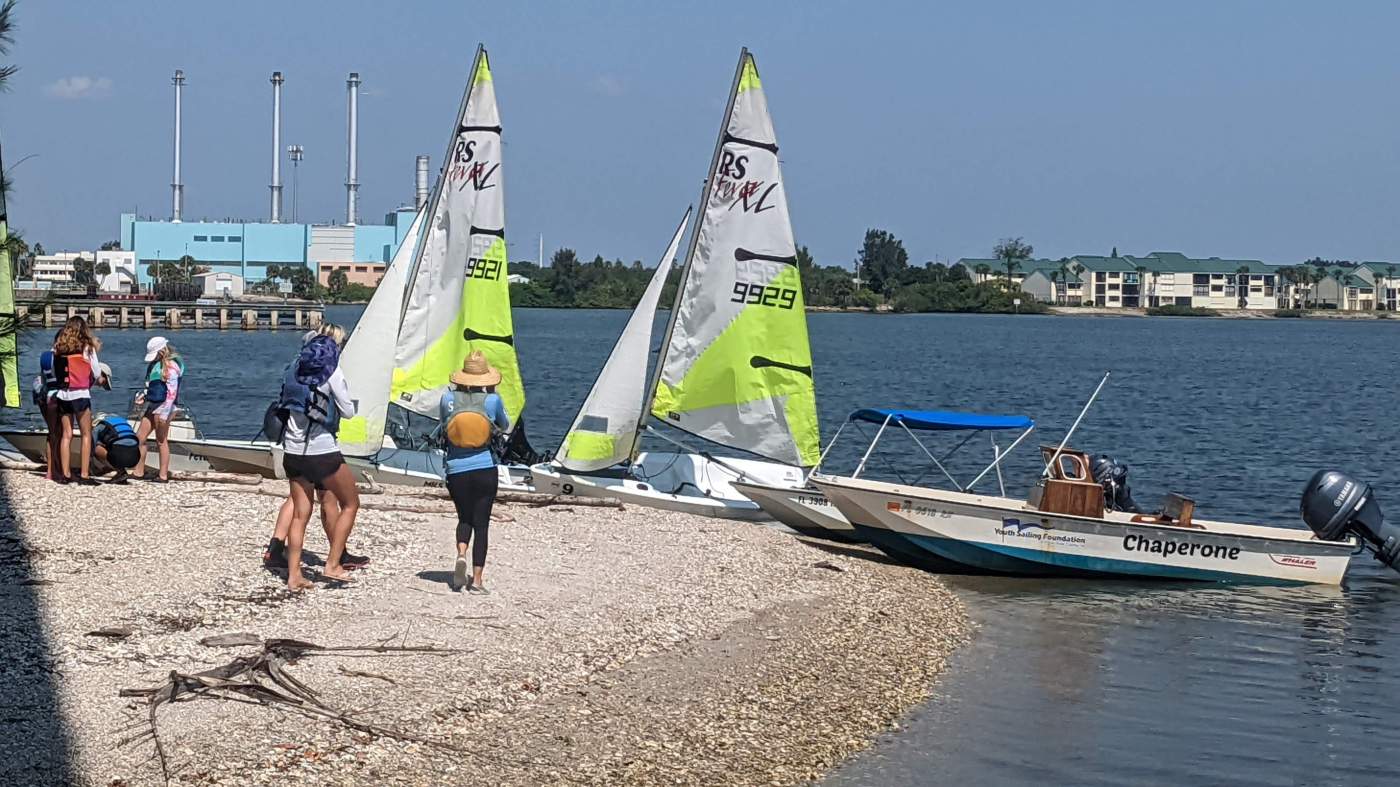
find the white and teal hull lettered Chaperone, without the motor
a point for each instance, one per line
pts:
(1004, 536)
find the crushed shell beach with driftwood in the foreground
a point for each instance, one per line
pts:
(617, 648)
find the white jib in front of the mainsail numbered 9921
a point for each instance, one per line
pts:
(367, 361)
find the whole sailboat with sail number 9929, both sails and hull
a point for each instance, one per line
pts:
(736, 368)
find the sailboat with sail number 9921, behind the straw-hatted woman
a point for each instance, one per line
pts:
(444, 295)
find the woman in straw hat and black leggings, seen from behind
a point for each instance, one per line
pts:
(471, 415)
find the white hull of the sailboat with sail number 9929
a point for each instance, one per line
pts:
(675, 482)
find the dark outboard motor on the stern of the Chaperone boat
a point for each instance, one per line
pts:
(1338, 506)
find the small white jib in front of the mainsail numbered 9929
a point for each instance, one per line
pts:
(607, 426)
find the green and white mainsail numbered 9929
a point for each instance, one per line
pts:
(738, 369)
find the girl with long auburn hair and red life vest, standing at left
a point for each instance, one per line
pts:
(78, 370)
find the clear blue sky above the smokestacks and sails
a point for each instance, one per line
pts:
(1240, 130)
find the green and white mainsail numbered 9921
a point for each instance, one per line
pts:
(458, 296)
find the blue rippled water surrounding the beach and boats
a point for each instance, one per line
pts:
(1069, 681)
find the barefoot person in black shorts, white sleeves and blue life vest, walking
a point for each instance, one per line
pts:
(314, 398)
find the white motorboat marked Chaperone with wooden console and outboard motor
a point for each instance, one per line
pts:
(1077, 523)
